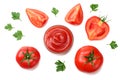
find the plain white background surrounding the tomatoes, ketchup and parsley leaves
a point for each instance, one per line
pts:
(9, 69)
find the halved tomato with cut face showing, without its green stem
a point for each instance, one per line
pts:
(96, 29)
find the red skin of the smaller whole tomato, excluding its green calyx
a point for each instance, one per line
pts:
(33, 62)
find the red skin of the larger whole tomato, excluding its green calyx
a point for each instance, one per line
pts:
(80, 60)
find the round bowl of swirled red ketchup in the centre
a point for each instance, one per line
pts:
(58, 39)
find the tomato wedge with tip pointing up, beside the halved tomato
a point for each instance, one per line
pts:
(75, 15)
